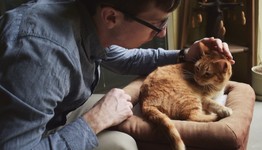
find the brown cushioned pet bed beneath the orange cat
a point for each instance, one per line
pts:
(230, 133)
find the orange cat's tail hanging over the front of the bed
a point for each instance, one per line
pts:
(156, 116)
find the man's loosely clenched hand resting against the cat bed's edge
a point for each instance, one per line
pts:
(111, 110)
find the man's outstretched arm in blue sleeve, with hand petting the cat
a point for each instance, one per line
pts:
(143, 61)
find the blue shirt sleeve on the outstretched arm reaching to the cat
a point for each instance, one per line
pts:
(137, 61)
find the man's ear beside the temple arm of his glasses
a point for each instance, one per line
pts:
(109, 16)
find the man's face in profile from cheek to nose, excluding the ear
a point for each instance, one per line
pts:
(134, 33)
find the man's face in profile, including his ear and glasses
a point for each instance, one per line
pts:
(132, 32)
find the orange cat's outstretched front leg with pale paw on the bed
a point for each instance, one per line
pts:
(220, 110)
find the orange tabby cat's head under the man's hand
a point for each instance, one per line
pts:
(212, 68)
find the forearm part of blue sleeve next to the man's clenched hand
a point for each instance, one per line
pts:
(74, 136)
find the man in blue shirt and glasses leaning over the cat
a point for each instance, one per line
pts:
(50, 54)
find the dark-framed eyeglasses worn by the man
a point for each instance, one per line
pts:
(157, 30)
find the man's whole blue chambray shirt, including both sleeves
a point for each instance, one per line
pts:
(49, 65)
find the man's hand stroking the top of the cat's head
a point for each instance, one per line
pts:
(197, 49)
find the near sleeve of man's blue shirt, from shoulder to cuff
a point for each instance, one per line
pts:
(35, 76)
